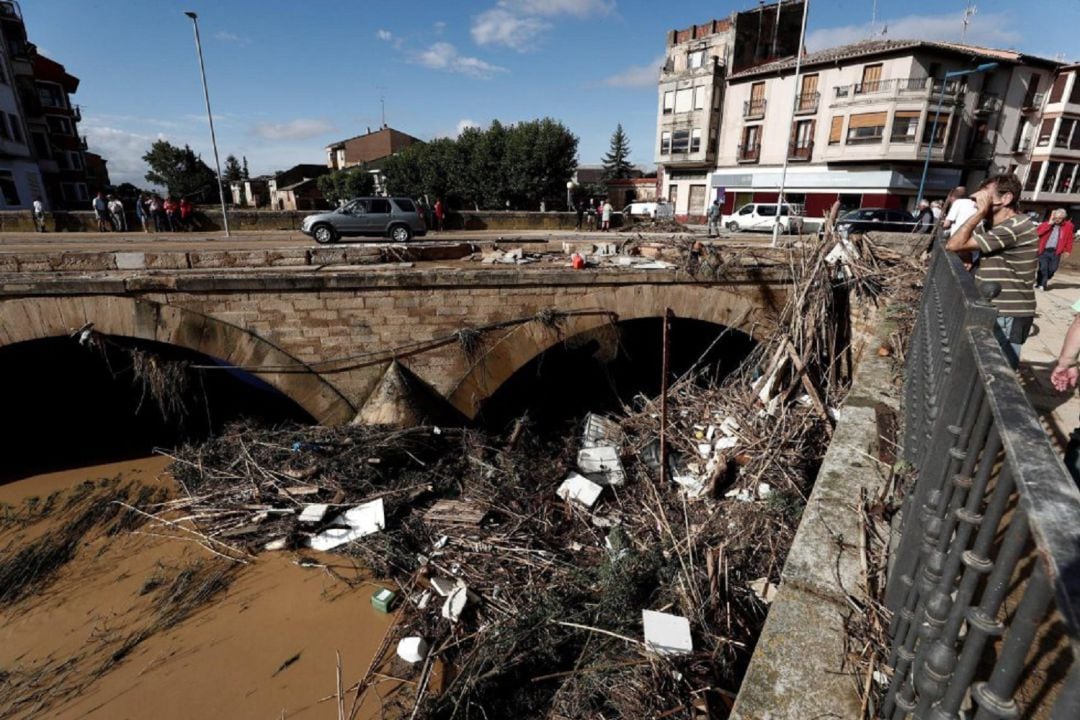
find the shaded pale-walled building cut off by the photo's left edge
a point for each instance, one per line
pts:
(21, 181)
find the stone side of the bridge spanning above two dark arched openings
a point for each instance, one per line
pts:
(331, 337)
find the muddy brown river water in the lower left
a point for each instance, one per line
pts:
(266, 648)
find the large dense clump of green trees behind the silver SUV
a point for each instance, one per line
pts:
(524, 164)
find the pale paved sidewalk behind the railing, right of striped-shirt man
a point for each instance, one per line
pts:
(1060, 412)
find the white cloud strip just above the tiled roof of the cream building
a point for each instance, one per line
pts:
(990, 30)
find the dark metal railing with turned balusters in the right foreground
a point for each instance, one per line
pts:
(990, 488)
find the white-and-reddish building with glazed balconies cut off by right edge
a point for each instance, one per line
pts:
(1048, 139)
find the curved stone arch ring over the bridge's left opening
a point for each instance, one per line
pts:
(34, 319)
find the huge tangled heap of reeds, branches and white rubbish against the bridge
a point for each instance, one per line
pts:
(623, 572)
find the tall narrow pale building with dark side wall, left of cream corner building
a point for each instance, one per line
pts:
(691, 93)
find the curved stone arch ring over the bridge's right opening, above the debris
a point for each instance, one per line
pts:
(749, 308)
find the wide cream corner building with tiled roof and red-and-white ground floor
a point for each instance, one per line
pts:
(865, 121)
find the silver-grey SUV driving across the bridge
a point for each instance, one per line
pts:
(398, 219)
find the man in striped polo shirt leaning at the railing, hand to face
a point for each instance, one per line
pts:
(1008, 243)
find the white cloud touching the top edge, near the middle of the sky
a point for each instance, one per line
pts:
(517, 24)
